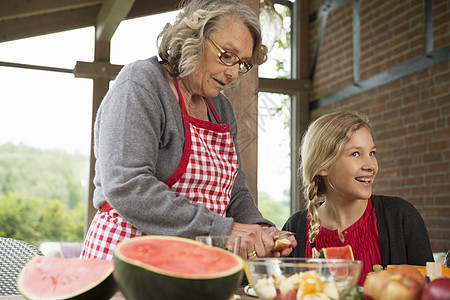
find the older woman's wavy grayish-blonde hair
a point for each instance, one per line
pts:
(182, 44)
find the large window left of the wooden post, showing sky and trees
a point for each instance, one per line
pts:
(46, 136)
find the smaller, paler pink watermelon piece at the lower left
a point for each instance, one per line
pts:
(66, 278)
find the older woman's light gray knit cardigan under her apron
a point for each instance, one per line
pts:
(138, 144)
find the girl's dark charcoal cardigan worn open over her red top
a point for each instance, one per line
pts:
(402, 232)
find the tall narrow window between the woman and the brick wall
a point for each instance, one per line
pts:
(274, 122)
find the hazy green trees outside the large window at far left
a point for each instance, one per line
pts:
(42, 197)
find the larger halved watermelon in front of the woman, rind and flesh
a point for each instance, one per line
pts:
(165, 267)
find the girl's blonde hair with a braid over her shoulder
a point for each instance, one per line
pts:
(321, 145)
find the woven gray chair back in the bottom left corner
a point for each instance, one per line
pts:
(14, 254)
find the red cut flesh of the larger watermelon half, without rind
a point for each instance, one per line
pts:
(175, 257)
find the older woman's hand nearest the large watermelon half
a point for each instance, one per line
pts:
(254, 239)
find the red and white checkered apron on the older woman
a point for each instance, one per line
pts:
(206, 174)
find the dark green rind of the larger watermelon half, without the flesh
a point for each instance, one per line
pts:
(137, 280)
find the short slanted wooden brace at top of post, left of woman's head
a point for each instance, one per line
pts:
(112, 13)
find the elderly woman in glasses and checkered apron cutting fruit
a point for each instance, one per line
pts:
(165, 138)
